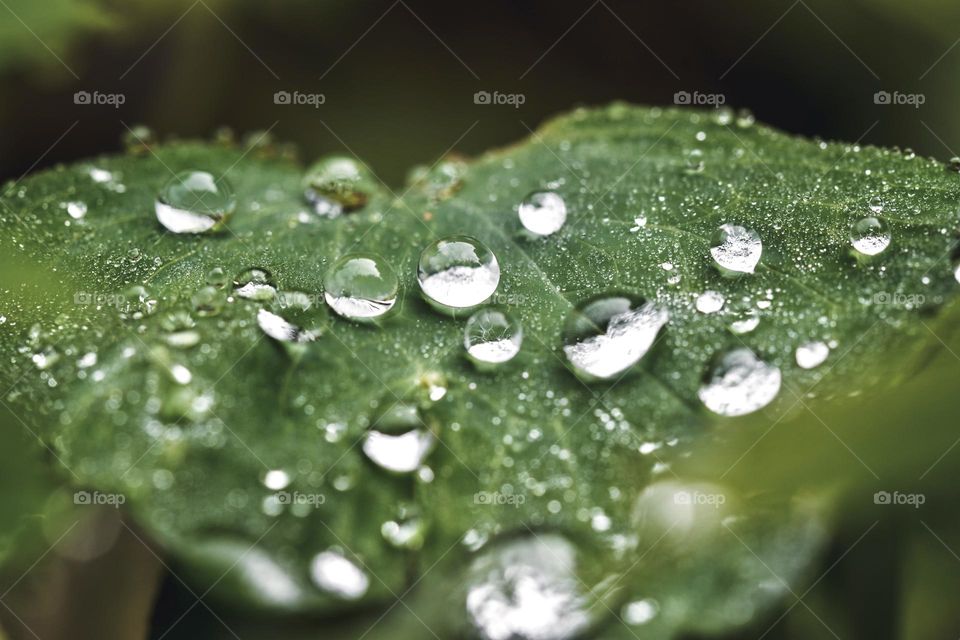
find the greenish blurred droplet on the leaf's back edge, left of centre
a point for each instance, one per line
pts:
(345, 181)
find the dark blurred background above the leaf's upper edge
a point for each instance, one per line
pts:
(399, 77)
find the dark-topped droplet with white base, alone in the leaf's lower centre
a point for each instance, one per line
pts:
(399, 441)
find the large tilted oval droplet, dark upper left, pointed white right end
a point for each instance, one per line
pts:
(607, 335)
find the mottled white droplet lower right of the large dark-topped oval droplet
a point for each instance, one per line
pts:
(739, 383)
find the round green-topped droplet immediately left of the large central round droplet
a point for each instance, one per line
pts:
(361, 287)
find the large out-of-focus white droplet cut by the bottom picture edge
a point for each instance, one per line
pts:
(527, 589)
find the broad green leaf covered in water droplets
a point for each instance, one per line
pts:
(599, 463)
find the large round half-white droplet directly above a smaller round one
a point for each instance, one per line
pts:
(458, 273)
